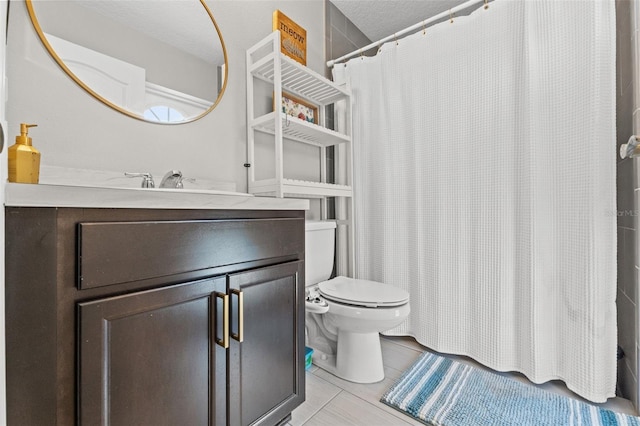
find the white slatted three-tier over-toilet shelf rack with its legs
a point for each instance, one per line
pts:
(266, 64)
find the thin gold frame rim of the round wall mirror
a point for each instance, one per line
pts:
(52, 52)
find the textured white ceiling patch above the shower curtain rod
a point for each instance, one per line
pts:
(380, 18)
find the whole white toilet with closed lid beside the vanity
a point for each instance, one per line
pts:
(344, 316)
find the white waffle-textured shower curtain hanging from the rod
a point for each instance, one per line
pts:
(484, 182)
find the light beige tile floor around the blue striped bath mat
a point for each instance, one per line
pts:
(332, 401)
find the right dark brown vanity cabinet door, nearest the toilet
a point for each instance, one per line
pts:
(266, 368)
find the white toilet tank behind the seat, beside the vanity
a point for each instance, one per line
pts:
(319, 250)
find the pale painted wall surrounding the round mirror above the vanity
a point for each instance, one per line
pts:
(76, 131)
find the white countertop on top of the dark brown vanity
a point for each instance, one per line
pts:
(49, 195)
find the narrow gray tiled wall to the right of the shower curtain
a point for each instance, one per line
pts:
(627, 294)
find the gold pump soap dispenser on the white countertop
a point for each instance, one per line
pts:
(24, 159)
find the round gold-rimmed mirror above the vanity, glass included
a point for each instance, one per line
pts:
(155, 60)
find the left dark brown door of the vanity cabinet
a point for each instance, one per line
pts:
(146, 358)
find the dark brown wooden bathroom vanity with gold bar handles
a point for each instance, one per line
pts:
(118, 314)
